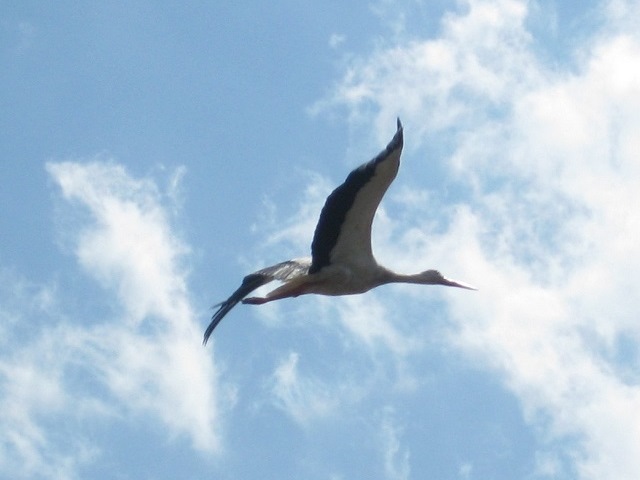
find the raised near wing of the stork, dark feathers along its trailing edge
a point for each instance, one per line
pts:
(343, 233)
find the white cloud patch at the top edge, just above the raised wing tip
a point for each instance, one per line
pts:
(480, 58)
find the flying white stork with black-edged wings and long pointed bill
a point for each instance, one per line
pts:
(342, 262)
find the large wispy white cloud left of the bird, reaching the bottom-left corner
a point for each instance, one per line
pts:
(143, 362)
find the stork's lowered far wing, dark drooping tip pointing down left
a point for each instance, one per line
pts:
(282, 271)
